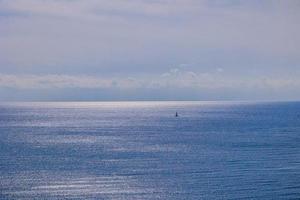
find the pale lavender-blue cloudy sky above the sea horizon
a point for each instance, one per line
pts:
(102, 50)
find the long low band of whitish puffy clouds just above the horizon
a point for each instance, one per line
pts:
(180, 80)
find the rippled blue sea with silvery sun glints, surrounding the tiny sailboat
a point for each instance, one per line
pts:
(139, 150)
